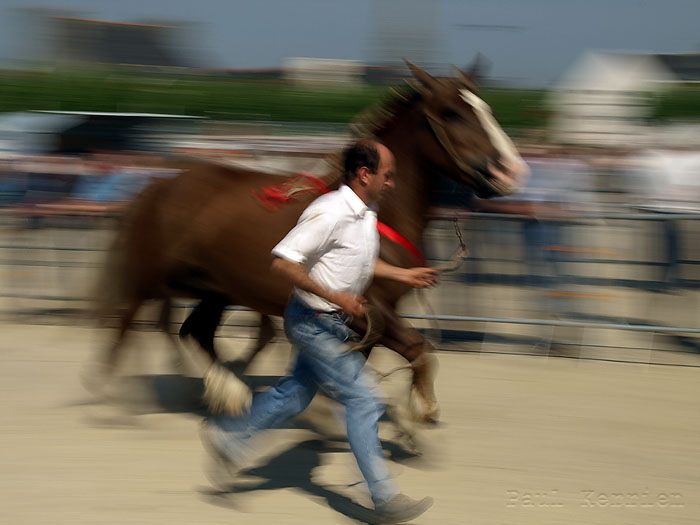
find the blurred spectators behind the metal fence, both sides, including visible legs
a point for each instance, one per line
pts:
(564, 186)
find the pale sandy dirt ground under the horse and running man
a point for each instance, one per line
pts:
(523, 440)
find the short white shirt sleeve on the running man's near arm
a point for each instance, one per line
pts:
(309, 238)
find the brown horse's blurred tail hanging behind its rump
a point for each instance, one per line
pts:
(115, 287)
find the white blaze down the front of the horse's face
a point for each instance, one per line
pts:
(509, 157)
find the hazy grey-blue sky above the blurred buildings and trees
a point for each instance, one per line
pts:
(549, 34)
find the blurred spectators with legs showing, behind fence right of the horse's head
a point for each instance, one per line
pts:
(568, 186)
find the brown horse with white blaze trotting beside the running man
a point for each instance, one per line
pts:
(205, 233)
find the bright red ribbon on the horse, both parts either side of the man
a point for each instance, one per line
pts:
(273, 197)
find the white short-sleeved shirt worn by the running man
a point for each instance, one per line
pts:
(337, 242)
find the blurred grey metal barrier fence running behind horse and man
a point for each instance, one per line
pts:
(527, 283)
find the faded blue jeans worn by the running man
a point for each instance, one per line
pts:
(324, 361)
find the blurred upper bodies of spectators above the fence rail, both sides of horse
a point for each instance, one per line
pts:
(562, 180)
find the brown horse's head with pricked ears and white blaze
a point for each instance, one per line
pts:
(462, 138)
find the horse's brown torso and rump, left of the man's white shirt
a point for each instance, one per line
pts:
(208, 226)
